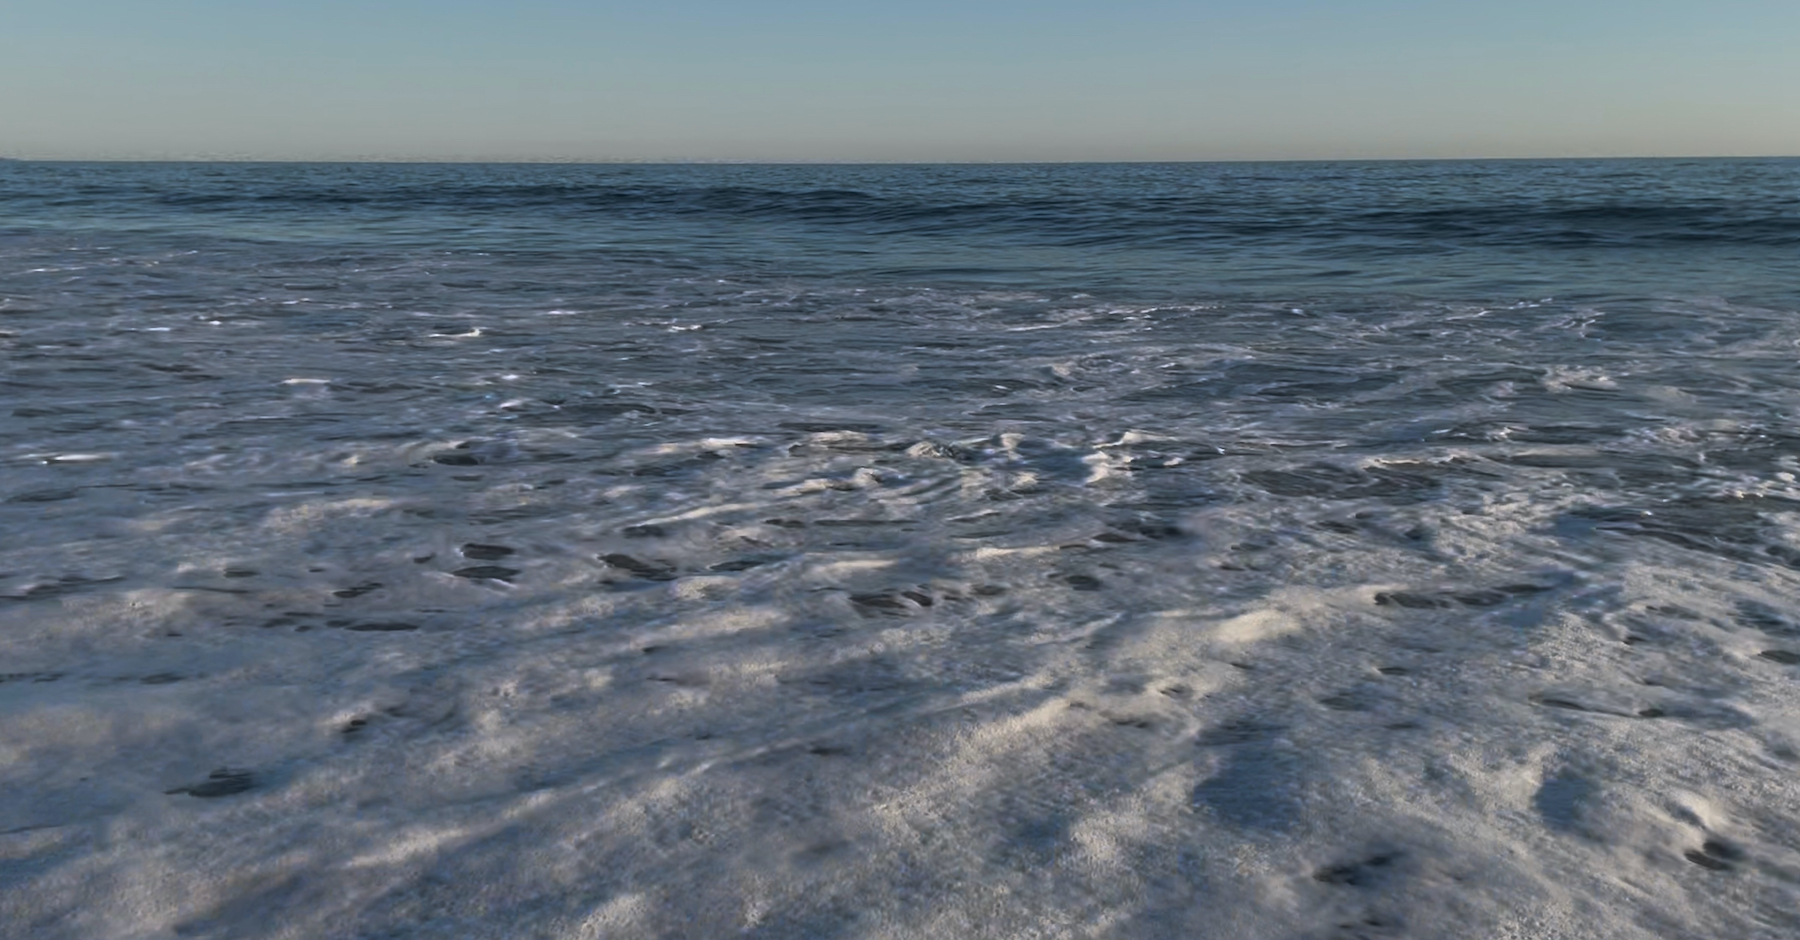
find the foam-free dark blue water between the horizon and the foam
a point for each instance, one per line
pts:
(1435, 231)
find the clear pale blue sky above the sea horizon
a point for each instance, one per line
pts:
(897, 82)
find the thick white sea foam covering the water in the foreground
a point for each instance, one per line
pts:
(737, 712)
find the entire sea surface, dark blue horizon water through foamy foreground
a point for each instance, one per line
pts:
(1245, 550)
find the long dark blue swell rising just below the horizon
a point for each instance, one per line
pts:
(1077, 222)
